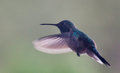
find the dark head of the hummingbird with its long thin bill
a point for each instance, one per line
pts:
(64, 26)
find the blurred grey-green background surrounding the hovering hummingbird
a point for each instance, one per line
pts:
(19, 26)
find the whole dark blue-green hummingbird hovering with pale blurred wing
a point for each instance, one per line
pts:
(69, 39)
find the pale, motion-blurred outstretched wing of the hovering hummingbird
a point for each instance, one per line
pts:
(53, 44)
